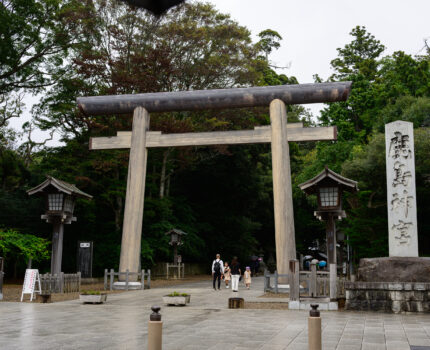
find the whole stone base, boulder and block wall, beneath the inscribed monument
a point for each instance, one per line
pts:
(392, 284)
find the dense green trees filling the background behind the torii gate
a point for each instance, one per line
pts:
(221, 196)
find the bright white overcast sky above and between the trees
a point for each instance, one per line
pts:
(313, 29)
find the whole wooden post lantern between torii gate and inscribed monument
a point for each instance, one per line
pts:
(329, 186)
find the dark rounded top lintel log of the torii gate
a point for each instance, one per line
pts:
(215, 99)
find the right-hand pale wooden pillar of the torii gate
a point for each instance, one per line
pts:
(282, 189)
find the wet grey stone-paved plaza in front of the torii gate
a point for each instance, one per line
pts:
(205, 324)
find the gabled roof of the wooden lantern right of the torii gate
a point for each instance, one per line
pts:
(328, 177)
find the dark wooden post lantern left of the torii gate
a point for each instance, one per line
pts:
(60, 200)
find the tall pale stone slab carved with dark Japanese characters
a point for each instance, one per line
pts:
(401, 196)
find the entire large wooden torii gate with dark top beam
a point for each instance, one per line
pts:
(278, 134)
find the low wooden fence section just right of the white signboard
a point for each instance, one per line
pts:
(61, 283)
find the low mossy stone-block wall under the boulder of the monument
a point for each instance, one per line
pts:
(388, 296)
